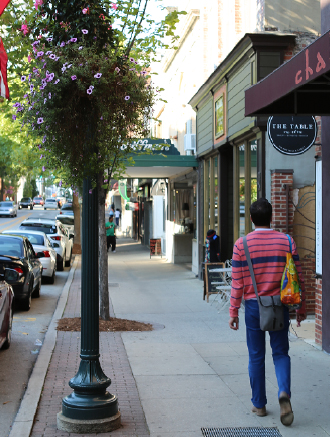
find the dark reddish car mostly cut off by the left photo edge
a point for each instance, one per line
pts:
(6, 312)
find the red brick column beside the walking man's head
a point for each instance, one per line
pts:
(281, 185)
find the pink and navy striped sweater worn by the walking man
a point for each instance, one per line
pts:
(268, 249)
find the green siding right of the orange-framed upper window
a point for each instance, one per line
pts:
(236, 102)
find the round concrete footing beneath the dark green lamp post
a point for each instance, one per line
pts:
(88, 426)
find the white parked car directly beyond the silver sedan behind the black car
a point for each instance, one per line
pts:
(57, 234)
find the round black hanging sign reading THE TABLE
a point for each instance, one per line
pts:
(292, 135)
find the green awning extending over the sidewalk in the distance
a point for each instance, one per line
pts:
(160, 166)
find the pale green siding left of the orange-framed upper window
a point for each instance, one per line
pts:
(205, 128)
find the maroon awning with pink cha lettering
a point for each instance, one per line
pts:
(301, 86)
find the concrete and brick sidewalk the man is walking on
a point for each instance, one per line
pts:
(191, 371)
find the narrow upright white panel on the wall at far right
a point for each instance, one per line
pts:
(318, 217)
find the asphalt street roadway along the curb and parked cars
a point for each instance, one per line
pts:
(29, 329)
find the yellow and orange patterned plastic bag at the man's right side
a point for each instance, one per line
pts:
(290, 285)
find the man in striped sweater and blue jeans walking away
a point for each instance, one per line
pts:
(268, 249)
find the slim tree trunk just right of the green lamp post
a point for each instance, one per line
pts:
(103, 254)
